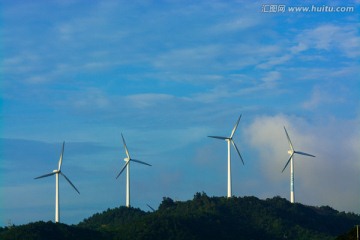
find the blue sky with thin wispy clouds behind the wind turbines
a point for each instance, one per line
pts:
(167, 74)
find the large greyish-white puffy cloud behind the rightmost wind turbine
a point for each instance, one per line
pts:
(331, 178)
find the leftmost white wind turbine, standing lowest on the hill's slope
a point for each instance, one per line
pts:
(56, 172)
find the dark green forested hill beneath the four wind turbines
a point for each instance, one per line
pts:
(201, 218)
